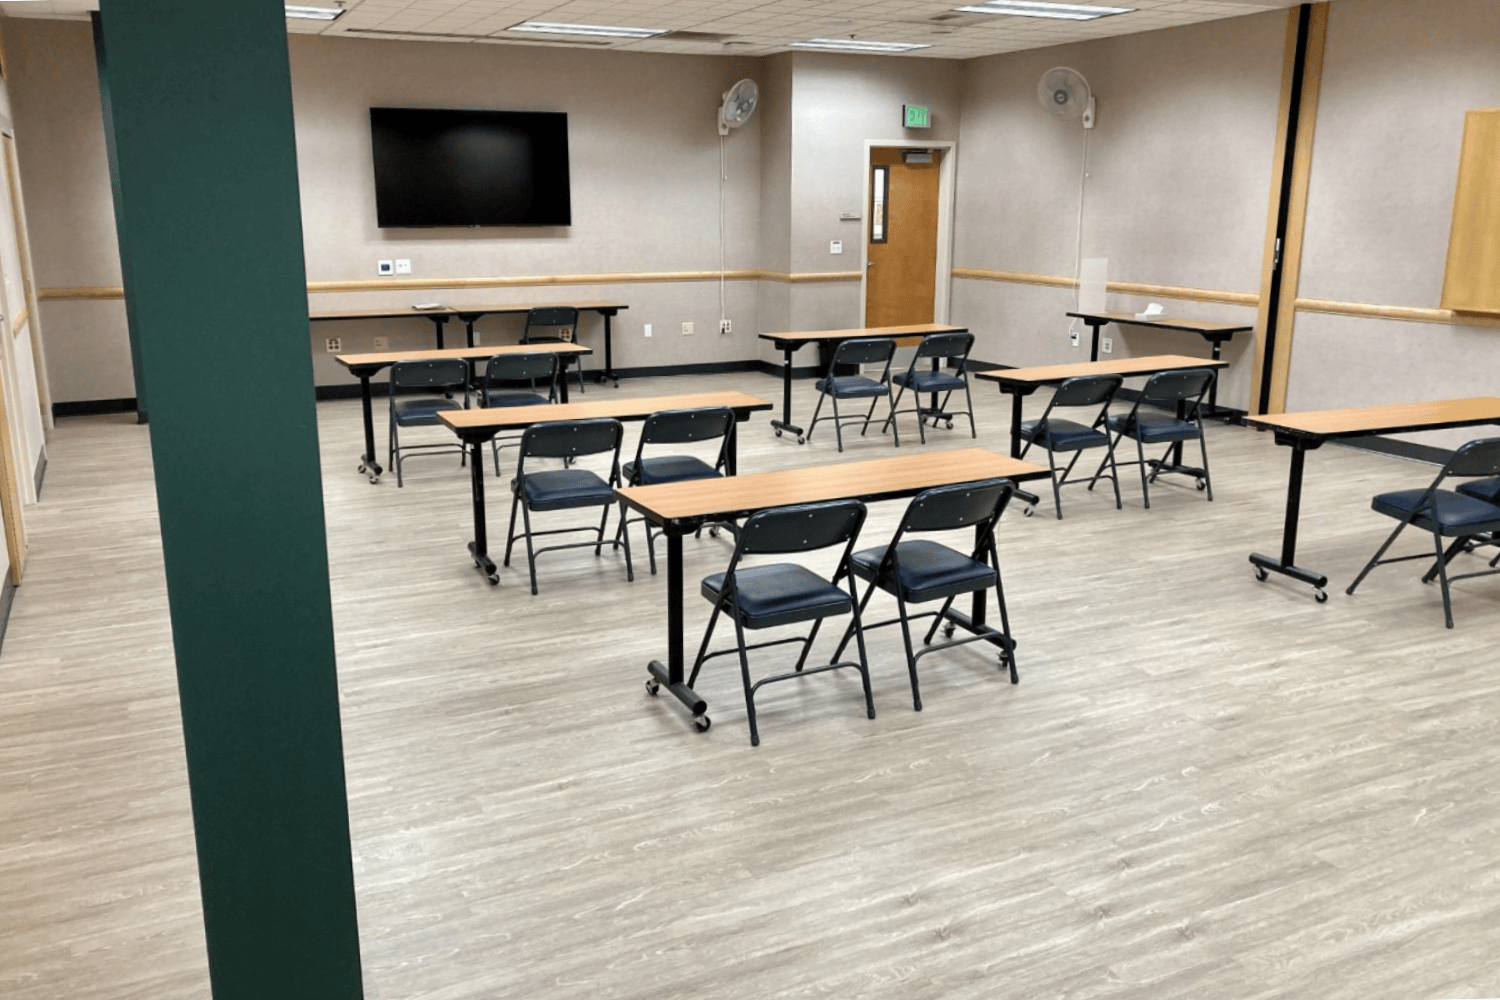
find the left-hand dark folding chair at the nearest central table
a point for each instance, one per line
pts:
(778, 594)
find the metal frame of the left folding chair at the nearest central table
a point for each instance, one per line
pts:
(728, 599)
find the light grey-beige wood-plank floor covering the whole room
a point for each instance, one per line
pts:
(1204, 786)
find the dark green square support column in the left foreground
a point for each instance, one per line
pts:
(209, 217)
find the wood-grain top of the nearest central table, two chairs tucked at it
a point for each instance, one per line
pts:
(878, 479)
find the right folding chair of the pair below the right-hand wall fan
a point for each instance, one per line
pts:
(1183, 394)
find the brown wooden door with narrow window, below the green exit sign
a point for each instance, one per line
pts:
(902, 241)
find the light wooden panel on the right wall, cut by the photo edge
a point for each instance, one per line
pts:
(1472, 278)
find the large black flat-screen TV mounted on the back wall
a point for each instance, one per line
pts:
(470, 169)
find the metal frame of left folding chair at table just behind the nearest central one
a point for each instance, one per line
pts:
(568, 440)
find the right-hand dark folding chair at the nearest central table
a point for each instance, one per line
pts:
(920, 570)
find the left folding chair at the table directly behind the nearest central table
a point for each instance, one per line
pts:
(569, 488)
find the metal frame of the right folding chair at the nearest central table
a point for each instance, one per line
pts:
(977, 506)
